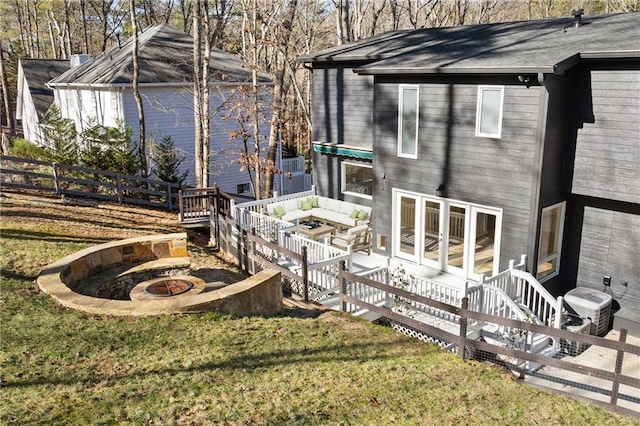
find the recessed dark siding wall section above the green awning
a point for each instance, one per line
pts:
(342, 107)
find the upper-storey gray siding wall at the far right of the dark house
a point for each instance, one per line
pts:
(608, 135)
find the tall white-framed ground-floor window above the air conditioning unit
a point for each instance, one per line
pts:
(551, 231)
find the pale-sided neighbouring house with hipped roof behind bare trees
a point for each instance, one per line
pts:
(99, 91)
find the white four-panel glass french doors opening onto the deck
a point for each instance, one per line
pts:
(449, 235)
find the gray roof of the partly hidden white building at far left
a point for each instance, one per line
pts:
(38, 72)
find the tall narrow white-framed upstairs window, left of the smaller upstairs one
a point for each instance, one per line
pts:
(408, 121)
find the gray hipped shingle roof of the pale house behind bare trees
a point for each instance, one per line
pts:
(165, 55)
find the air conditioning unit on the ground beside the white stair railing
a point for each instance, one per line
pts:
(592, 304)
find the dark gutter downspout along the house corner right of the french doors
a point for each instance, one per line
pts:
(538, 161)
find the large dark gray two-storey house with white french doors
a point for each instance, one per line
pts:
(478, 144)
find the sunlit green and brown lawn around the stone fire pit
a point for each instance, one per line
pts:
(64, 367)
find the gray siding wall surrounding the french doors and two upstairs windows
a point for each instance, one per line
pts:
(492, 172)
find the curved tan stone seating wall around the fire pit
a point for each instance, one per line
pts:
(260, 294)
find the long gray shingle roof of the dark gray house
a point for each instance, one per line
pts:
(548, 46)
